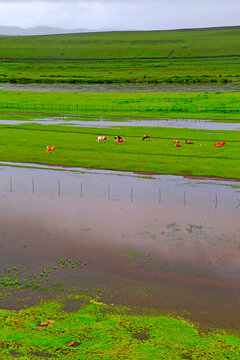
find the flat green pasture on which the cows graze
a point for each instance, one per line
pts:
(78, 147)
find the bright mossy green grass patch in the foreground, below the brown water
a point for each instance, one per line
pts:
(99, 331)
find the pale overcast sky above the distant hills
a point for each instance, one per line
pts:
(120, 14)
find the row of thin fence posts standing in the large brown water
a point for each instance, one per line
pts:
(130, 193)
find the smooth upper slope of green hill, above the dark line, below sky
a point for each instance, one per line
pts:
(117, 45)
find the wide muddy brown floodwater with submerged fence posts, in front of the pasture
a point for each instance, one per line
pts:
(166, 242)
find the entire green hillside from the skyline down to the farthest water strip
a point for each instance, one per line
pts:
(184, 56)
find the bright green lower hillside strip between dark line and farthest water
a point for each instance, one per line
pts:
(170, 71)
